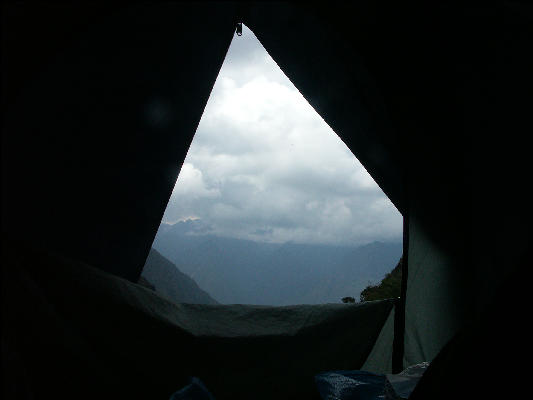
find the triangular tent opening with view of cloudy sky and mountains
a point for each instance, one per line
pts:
(270, 206)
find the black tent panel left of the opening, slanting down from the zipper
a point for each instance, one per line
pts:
(100, 105)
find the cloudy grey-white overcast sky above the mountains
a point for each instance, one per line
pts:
(263, 164)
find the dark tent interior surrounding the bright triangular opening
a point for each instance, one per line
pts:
(100, 103)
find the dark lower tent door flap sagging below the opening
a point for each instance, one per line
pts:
(92, 326)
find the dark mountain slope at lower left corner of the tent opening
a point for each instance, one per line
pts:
(171, 282)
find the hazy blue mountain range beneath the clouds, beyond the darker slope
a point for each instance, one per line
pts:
(238, 271)
